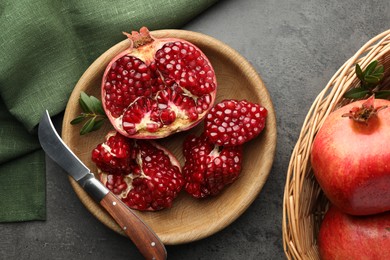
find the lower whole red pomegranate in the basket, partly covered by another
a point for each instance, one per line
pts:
(343, 236)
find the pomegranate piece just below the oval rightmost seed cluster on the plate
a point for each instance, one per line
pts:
(209, 168)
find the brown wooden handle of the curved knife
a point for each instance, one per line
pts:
(142, 236)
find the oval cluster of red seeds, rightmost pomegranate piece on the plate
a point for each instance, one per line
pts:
(233, 122)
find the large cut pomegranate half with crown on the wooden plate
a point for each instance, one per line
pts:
(157, 87)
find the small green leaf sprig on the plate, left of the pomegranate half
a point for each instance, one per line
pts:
(93, 112)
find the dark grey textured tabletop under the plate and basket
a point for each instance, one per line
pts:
(296, 46)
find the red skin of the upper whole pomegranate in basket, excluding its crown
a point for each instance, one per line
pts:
(351, 160)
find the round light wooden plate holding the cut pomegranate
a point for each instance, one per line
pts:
(189, 219)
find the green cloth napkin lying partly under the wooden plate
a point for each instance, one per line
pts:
(45, 46)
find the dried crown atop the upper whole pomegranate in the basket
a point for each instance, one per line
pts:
(365, 112)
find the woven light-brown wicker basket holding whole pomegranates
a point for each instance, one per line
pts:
(304, 203)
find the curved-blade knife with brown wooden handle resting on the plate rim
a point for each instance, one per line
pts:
(142, 236)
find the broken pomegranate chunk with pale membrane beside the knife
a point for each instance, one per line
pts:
(143, 174)
